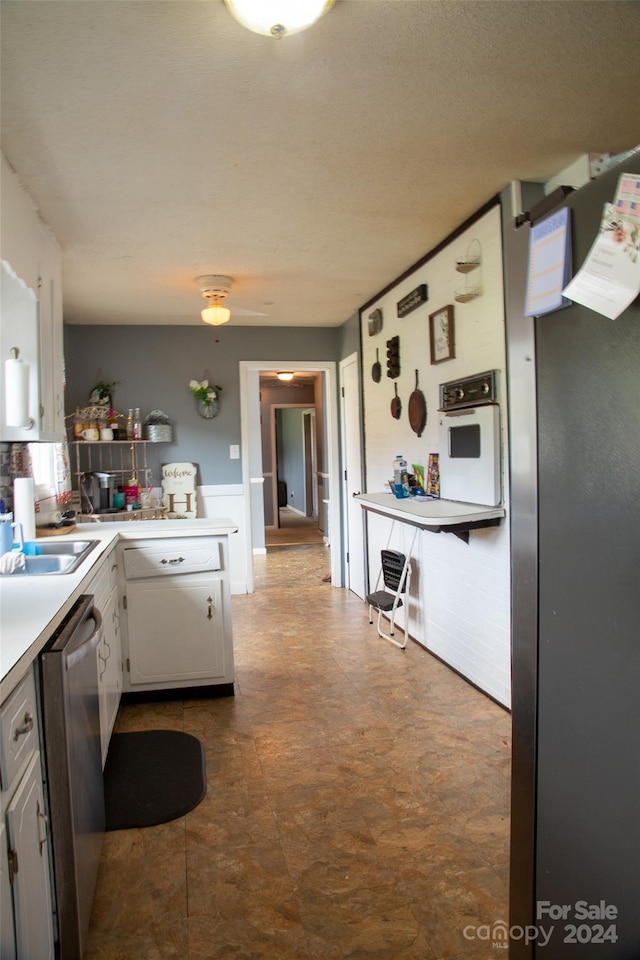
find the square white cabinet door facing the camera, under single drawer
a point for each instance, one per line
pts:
(176, 630)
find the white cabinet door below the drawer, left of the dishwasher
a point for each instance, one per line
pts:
(27, 829)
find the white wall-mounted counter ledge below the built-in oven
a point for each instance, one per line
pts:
(435, 515)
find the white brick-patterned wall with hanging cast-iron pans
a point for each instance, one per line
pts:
(460, 594)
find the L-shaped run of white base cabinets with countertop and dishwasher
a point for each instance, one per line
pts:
(147, 609)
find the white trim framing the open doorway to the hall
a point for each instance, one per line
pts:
(332, 465)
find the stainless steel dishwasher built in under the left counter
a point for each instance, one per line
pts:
(71, 723)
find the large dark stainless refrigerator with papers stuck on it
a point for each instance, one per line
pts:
(574, 401)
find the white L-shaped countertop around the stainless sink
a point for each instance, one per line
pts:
(32, 607)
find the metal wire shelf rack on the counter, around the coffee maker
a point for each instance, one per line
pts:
(124, 459)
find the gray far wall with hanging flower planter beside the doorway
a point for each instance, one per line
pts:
(155, 364)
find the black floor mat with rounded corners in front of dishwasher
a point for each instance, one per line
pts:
(152, 776)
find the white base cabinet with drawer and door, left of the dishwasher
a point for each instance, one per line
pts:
(24, 850)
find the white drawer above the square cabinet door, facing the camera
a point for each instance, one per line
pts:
(160, 558)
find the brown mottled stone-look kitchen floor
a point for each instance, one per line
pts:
(357, 804)
